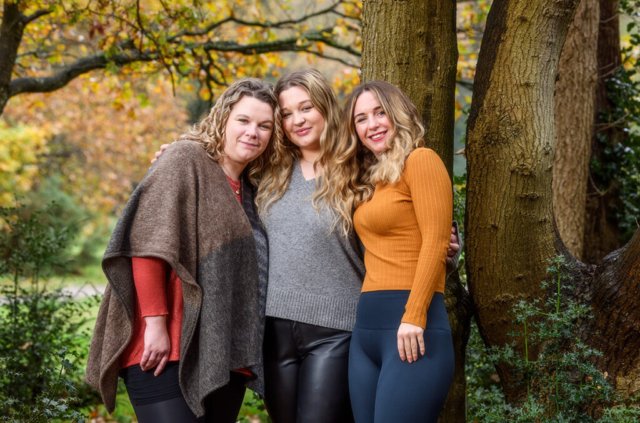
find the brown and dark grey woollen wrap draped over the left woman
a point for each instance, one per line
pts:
(184, 212)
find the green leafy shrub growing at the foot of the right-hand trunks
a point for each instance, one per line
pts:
(560, 383)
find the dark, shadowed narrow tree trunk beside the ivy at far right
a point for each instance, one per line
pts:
(602, 233)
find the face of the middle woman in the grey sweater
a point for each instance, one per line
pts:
(301, 120)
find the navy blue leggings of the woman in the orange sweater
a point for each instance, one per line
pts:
(382, 387)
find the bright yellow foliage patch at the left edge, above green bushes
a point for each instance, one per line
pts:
(20, 151)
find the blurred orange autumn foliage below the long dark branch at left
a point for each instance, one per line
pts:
(104, 131)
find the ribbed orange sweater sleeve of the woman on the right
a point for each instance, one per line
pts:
(432, 198)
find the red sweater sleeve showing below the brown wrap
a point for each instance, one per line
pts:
(149, 277)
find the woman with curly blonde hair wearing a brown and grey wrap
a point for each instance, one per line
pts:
(181, 319)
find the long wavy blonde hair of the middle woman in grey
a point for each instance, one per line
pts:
(277, 174)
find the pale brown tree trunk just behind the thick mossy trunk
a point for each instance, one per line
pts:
(574, 117)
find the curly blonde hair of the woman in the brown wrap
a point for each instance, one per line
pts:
(210, 131)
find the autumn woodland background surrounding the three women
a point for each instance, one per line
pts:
(90, 89)
